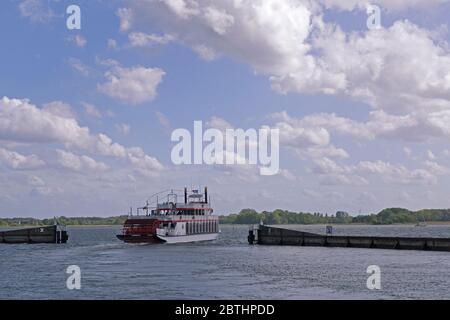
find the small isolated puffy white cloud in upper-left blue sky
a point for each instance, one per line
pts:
(132, 86)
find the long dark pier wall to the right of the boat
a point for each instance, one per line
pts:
(266, 235)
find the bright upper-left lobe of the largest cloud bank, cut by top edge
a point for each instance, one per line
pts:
(270, 35)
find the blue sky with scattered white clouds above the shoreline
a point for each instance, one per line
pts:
(86, 115)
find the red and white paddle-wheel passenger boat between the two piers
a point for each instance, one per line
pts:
(170, 221)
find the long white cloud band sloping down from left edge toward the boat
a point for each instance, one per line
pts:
(21, 121)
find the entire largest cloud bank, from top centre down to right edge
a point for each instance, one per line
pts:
(400, 68)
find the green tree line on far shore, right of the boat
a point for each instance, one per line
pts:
(386, 216)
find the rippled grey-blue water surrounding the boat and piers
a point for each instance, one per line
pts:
(225, 269)
